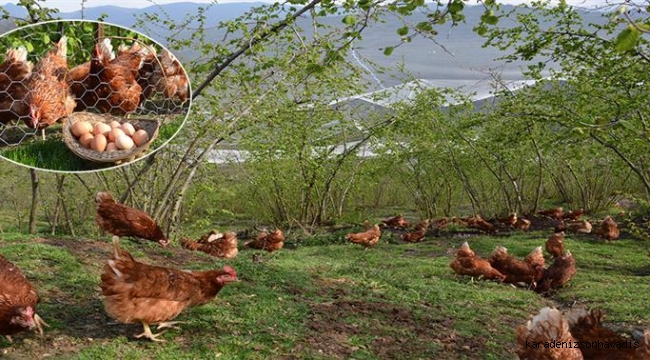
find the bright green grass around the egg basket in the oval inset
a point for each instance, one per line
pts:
(53, 154)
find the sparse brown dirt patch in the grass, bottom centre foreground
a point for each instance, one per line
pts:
(339, 329)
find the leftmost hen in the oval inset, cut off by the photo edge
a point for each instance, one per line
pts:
(14, 72)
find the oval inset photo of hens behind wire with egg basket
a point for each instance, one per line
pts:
(80, 95)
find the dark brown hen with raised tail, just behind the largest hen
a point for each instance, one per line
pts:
(121, 220)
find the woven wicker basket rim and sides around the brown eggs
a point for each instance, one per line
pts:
(118, 156)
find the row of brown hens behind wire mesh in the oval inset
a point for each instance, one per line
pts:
(42, 94)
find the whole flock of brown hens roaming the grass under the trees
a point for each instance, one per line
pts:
(135, 292)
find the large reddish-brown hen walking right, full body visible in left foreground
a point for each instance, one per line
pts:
(137, 292)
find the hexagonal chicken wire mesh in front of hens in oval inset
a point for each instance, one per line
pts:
(53, 70)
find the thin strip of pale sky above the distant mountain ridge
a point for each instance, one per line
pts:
(74, 5)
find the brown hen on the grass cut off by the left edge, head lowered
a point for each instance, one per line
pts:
(18, 300)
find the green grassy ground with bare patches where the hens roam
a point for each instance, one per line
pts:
(324, 301)
